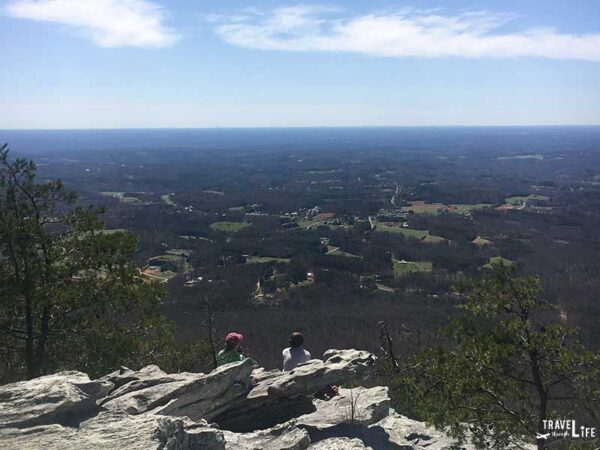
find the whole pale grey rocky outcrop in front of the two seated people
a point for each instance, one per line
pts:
(238, 406)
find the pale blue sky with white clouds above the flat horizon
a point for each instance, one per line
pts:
(70, 64)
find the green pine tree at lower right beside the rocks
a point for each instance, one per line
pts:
(508, 366)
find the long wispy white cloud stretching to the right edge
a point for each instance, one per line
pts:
(404, 33)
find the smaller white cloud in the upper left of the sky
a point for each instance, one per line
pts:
(109, 23)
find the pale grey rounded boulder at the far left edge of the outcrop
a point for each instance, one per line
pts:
(65, 397)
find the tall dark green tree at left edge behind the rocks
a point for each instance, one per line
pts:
(70, 297)
